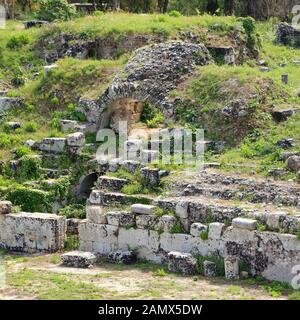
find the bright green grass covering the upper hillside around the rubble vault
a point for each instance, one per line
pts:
(89, 77)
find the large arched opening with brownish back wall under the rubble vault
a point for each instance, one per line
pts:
(126, 109)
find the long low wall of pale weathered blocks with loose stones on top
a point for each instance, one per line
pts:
(270, 254)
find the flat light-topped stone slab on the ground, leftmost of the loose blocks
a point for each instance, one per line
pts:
(79, 259)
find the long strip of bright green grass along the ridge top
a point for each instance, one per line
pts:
(112, 23)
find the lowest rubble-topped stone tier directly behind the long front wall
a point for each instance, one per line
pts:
(205, 210)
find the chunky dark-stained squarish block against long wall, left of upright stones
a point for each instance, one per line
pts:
(183, 263)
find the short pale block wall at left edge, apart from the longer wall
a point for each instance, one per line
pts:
(32, 232)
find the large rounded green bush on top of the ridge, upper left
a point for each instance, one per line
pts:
(51, 10)
